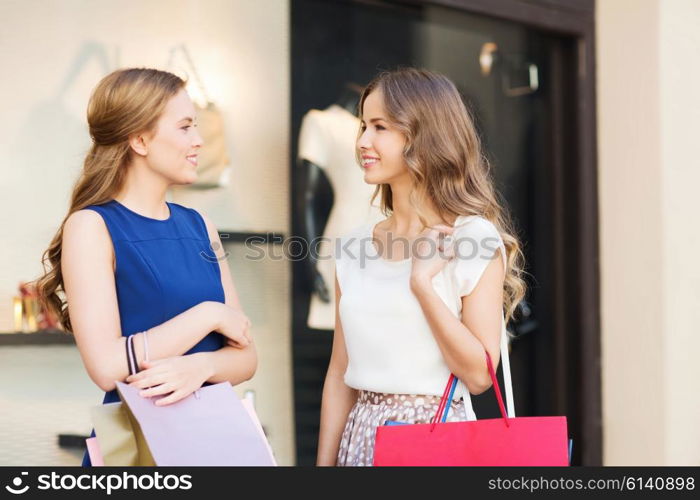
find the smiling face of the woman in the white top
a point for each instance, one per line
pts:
(380, 144)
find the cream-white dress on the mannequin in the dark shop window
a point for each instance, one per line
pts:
(327, 139)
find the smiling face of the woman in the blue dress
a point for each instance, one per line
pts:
(172, 150)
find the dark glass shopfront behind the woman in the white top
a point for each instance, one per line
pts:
(514, 80)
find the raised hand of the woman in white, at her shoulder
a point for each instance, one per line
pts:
(432, 253)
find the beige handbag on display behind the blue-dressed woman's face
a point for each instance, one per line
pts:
(213, 159)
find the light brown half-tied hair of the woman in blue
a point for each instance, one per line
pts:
(126, 102)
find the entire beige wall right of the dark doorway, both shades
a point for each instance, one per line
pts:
(648, 111)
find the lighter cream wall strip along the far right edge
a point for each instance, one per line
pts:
(680, 121)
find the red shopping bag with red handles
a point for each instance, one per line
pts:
(505, 441)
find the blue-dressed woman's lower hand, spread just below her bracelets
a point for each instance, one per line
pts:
(178, 377)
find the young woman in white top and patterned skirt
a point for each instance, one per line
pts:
(426, 291)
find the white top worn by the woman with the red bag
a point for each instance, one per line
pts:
(390, 346)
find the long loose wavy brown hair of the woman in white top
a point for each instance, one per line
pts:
(445, 160)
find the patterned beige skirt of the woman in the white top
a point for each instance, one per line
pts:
(373, 409)
